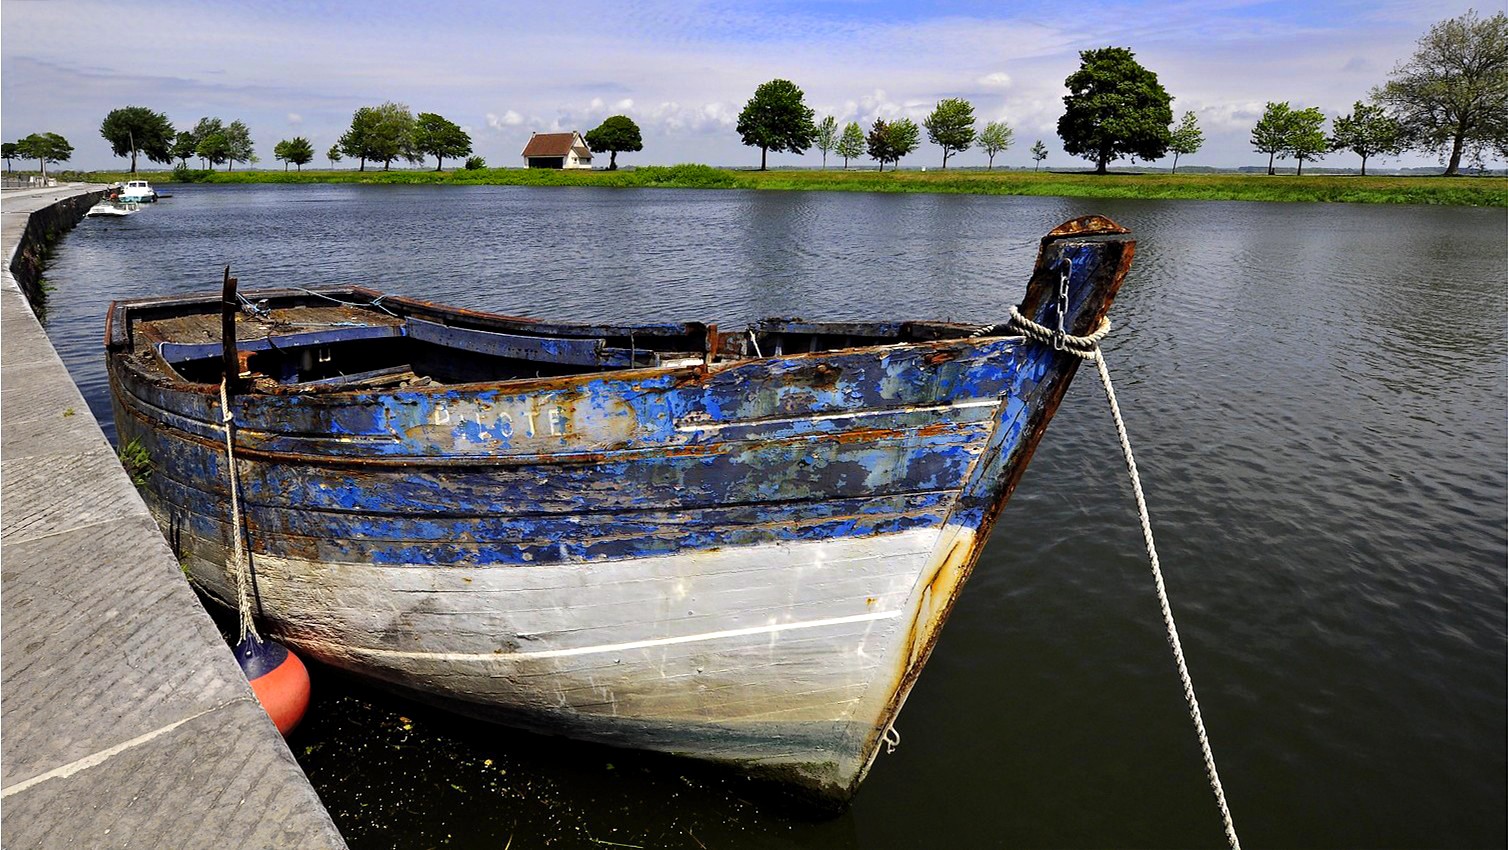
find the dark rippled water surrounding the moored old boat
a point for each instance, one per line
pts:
(1319, 397)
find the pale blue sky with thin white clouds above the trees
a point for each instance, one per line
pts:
(681, 70)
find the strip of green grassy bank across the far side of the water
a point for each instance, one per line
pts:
(1334, 189)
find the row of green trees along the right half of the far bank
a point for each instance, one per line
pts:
(1450, 97)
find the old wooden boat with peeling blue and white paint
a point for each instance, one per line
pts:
(737, 548)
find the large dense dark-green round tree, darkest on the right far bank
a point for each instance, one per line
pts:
(1115, 108)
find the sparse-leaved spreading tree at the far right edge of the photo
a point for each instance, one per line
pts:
(1453, 94)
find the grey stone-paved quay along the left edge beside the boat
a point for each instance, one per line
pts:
(124, 718)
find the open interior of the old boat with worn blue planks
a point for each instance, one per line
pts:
(352, 338)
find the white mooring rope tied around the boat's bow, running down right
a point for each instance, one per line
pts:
(1088, 349)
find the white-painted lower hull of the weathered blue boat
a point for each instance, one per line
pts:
(783, 659)
